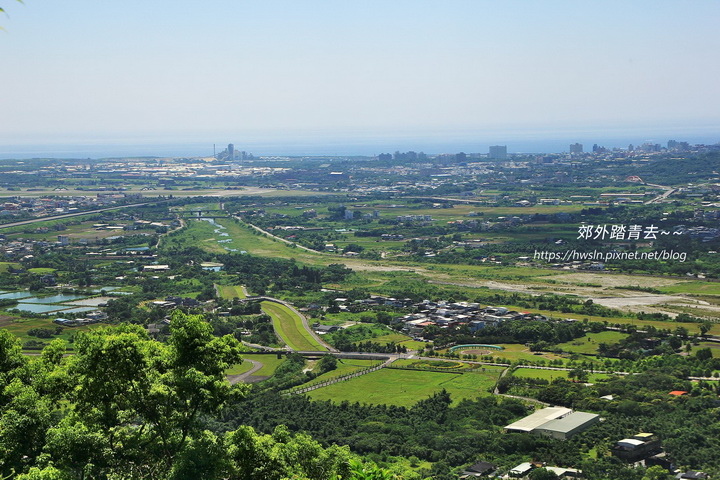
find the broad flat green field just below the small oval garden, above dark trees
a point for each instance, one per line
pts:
(407, 387)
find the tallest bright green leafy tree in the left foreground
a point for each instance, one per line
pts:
(136, 403)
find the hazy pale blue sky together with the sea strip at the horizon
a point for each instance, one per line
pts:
(325, 75)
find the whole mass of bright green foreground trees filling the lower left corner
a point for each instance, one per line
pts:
(126, 406)
